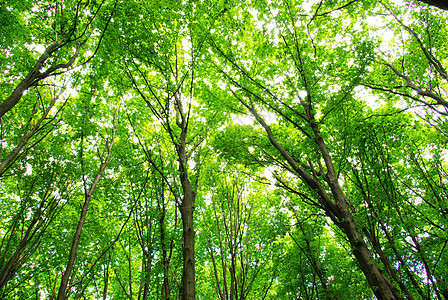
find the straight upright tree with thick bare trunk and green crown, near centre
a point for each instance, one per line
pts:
(169, 91)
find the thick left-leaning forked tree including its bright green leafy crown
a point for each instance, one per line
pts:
(308, 116)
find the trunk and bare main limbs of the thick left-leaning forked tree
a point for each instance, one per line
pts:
(320, 178)
